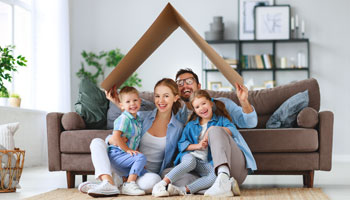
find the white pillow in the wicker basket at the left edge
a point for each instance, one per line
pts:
(7, 131)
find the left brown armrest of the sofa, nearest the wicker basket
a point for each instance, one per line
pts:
(54, 129)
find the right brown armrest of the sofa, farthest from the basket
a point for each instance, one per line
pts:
(325, 130)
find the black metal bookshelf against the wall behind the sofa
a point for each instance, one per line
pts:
(238, 52)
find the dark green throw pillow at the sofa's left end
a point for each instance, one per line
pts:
(92, 105)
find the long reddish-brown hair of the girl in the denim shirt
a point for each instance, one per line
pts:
(220, 107)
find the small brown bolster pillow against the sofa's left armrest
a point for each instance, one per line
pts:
(72, 121)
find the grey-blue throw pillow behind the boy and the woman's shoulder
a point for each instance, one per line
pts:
(114, 112)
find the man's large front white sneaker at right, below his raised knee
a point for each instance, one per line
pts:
(221, 187)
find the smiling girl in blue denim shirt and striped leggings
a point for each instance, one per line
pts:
(193, 146)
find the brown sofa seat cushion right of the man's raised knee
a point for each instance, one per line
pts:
(281, 140)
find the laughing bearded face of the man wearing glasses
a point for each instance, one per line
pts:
(186, 89)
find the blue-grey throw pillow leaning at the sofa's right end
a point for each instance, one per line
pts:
(285, 115)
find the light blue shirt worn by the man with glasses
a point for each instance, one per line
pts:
(239, 118)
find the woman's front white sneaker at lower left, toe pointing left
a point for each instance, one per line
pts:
(104, 189)
